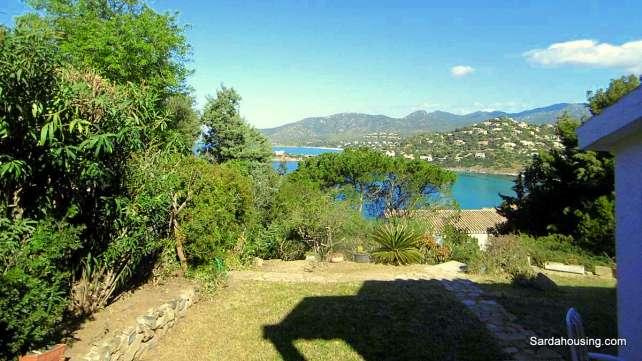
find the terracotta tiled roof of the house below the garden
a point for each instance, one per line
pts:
(470, 220)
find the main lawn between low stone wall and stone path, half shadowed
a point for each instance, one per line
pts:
(372, 320)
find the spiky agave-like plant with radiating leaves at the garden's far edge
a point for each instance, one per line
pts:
(398, 245)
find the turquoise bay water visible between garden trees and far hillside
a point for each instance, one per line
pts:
(471, 190)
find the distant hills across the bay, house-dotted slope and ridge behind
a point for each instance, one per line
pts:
(496, 142)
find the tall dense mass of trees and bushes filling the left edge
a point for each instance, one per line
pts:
(71, 120)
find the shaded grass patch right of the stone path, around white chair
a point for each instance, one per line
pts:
(544, 312)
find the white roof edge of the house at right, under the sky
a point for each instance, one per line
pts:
(615, 124)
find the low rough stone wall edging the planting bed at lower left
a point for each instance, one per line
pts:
(131, 343)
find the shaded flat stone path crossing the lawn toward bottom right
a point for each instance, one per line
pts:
(514, 339)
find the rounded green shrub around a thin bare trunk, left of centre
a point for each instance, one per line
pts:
(211, 205)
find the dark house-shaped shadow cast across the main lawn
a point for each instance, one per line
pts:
(388, 320)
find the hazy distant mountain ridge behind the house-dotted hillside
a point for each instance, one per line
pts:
(339, 128)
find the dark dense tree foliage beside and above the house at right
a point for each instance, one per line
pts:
(570, 191)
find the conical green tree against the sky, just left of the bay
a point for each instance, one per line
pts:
(228, 136)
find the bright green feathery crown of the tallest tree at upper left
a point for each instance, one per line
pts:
(123, 40)
